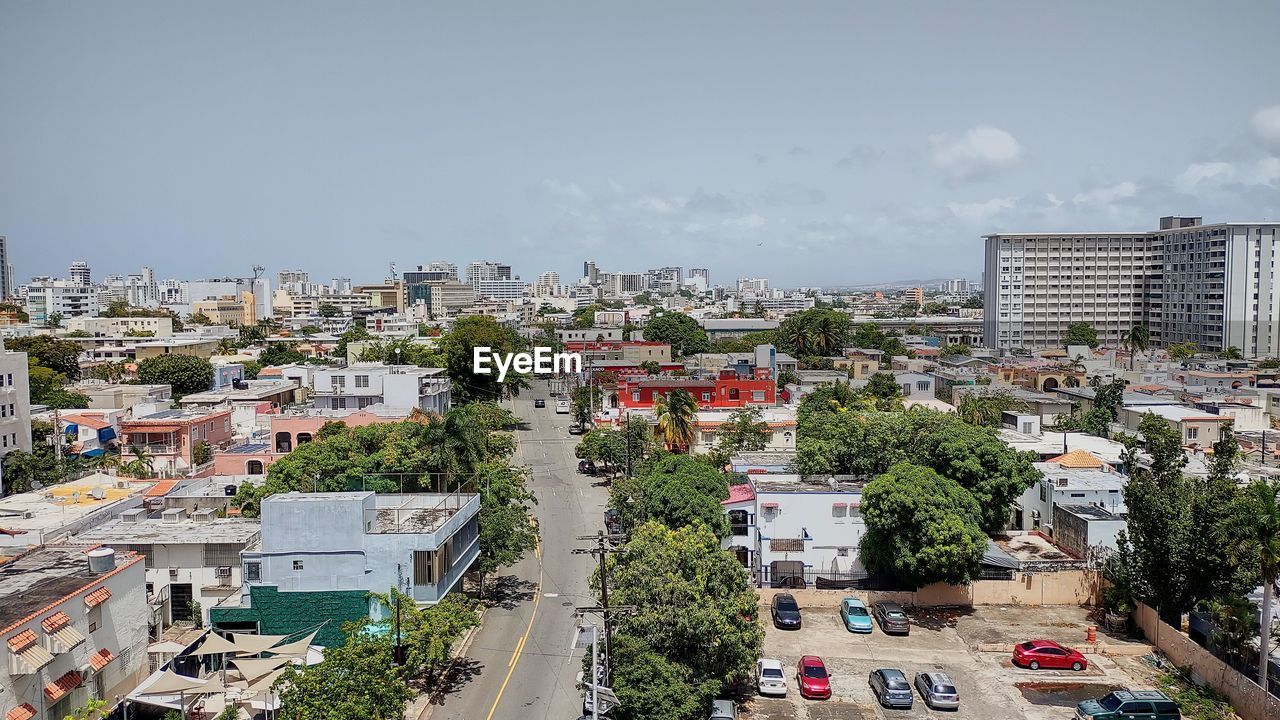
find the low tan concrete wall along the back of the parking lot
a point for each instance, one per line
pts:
(1067, 587)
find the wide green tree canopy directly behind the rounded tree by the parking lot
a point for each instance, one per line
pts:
(870, 444)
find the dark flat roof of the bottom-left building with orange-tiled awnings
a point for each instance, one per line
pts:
(45, 576)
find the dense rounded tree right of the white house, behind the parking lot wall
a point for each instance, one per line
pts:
(922, 528)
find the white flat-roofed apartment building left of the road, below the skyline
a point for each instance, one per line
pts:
(376, 384)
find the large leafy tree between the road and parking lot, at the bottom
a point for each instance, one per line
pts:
(694, 623)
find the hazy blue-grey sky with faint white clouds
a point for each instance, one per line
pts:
(815, 144)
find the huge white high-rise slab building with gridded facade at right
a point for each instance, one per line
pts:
(1187, 282)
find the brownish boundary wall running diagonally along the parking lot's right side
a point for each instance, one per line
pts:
(1247, 698)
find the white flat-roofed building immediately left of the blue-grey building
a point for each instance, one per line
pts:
(190, 562)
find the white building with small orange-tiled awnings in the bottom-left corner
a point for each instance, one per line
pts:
(75, 628)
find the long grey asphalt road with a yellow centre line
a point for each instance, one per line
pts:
(520, 664)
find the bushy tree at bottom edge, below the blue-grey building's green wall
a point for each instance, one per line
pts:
(358, 681)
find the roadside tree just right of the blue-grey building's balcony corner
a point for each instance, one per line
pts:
(508, 526)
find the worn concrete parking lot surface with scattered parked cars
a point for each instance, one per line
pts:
(949, 641)
